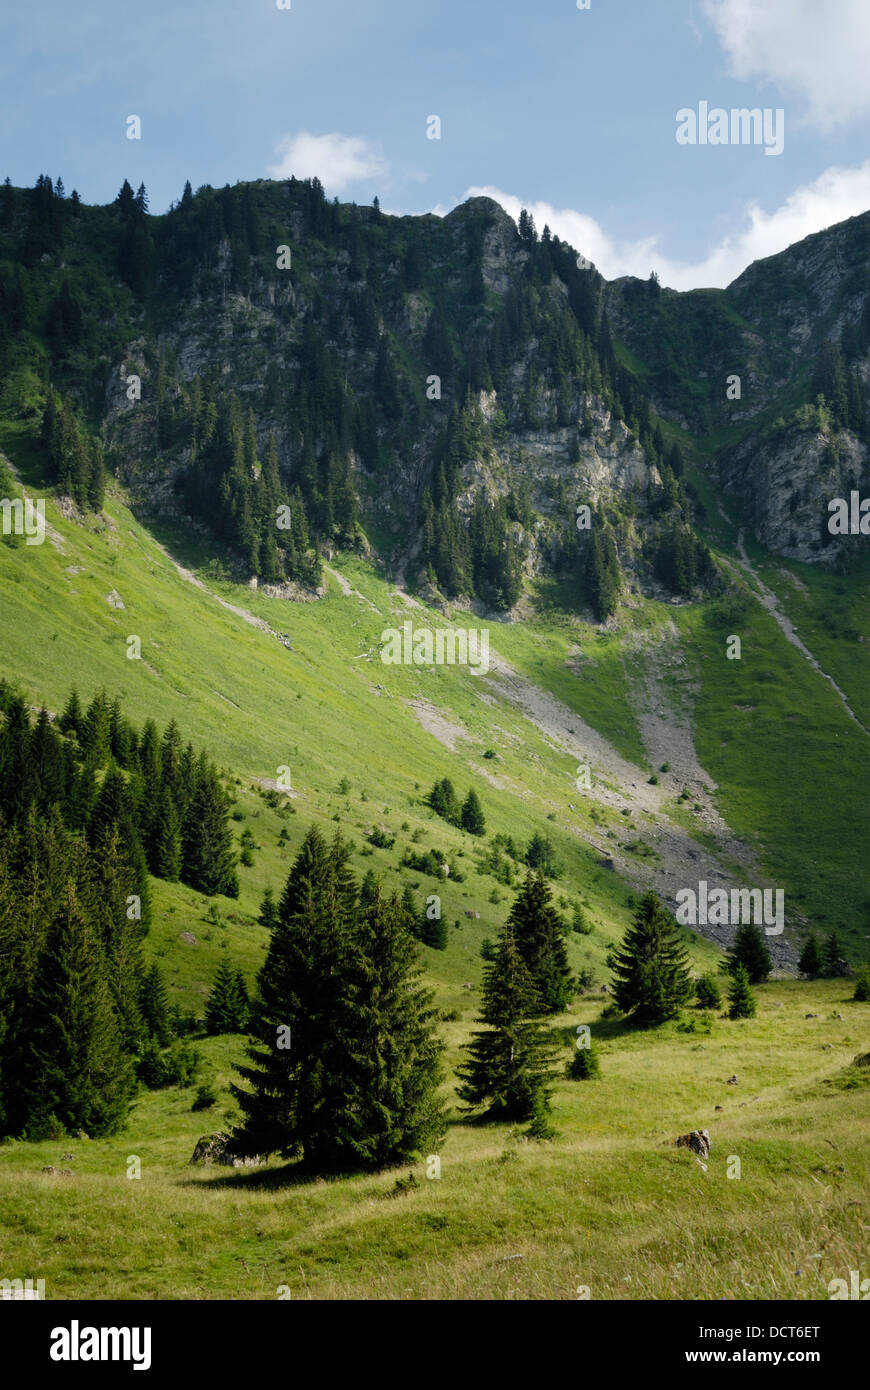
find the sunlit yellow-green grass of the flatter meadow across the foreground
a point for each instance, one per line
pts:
(609, 1204)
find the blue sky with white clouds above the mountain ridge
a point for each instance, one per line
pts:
(569, 112)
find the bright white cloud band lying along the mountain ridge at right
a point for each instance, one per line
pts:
(832, 198)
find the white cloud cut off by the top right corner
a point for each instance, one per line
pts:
(818, 49)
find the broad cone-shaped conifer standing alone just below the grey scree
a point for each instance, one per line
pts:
(651, 971)
